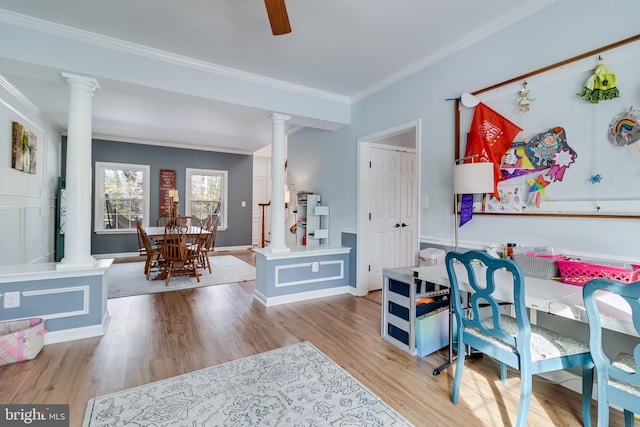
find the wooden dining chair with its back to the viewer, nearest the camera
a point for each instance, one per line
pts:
(179, 257)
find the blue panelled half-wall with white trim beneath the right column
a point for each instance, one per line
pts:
(301, 274)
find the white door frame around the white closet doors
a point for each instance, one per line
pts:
(364, 146)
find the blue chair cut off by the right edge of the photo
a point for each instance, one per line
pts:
(618, 381)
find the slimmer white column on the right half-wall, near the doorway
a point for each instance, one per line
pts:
(277, 240)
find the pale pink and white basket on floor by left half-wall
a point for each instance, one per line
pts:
(21, 340)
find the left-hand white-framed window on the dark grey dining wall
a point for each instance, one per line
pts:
(121, 195)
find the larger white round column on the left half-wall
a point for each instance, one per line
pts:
(77, 234)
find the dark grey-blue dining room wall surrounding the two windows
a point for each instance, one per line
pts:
(240, 175)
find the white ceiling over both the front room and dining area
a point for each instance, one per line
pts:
(339, 49)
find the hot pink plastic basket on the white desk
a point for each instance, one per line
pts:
(579, 273)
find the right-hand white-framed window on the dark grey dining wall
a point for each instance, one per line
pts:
(207, 194)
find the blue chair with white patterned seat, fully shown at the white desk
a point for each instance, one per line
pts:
(513, 341)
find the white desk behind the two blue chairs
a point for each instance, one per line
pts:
(545, 295)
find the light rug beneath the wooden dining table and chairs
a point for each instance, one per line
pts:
(126, 279)
